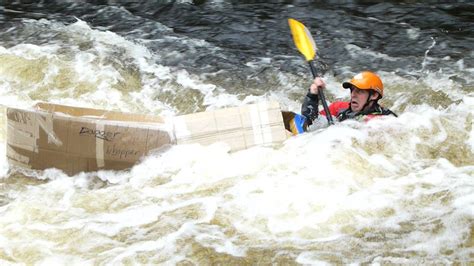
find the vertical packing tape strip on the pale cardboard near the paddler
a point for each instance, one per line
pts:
(259, 116)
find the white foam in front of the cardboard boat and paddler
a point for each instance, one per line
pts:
(312, 188)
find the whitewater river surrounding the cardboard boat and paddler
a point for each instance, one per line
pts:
(391, 191)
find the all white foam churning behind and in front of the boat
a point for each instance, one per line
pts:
(393, 178)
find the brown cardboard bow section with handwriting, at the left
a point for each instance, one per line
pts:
(81, 139)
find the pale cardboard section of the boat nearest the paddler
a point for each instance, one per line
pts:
(240, 127)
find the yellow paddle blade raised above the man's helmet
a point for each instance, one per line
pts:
(302, 38)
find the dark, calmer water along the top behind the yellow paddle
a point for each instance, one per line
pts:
(248, 30)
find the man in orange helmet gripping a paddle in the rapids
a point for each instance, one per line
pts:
(366, 89)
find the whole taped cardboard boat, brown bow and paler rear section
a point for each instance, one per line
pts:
(76, 139)
